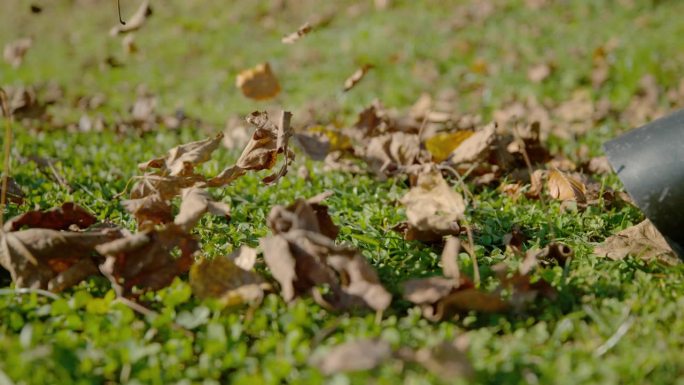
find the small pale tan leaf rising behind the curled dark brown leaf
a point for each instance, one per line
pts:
(195, 203)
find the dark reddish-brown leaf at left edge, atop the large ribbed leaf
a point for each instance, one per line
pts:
(59, 218)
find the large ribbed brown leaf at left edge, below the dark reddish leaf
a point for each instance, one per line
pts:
(51, 259)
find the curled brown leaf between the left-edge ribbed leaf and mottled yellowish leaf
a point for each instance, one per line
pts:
(145, 259)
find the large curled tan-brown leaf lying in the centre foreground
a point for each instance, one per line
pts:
(301, 260)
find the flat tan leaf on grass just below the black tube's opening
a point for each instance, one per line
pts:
(643, 241)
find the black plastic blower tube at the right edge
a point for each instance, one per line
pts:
(650, 163)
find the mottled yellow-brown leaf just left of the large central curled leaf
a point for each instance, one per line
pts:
(224, 279)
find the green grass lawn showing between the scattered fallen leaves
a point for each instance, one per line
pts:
(190, 54)
